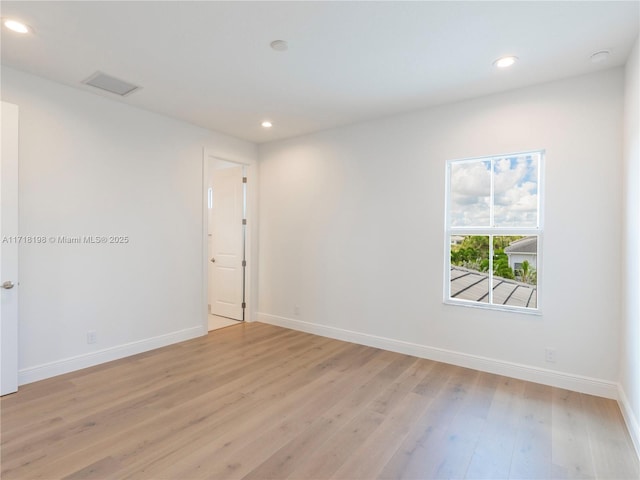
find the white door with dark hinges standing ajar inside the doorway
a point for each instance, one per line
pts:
(226, 282)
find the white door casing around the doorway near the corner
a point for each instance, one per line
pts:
(250, 244)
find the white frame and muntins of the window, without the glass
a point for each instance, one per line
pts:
(492, 232)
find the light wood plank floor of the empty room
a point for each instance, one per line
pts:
(256, 401)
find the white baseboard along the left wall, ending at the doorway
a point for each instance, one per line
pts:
(71, 364)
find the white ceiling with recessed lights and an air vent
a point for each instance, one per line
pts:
(210, 63)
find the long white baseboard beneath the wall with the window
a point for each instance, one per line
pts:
(577, 383)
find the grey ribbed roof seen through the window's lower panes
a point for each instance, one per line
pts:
(469, 284)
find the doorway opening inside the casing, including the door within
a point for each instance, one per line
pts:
(226, 197)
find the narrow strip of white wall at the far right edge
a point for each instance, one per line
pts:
(630, 339)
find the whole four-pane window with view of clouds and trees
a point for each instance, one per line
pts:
(493, 231)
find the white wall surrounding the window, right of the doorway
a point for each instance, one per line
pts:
(351, 231)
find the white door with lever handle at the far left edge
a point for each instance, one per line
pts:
(9, 250)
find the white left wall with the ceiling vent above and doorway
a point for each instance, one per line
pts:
(92, 166)
